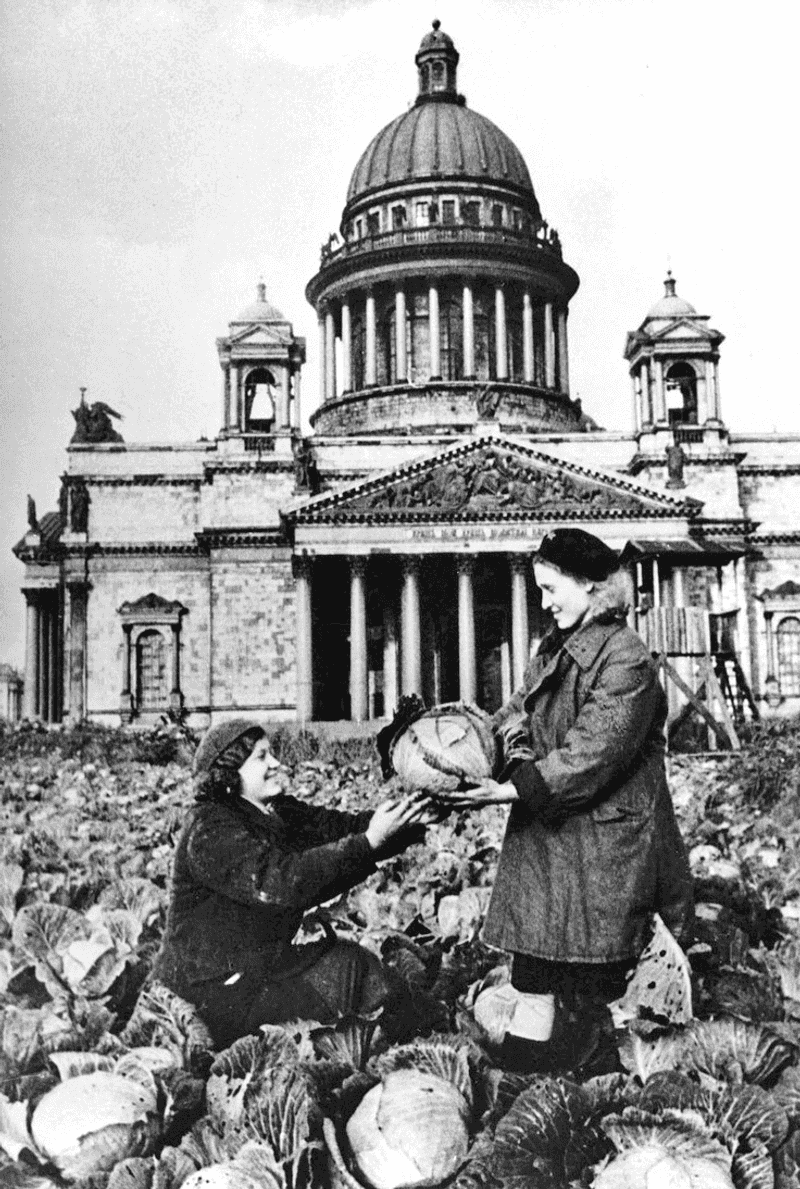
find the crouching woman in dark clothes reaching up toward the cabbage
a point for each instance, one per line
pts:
(250, 861)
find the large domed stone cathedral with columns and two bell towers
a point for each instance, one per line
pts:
(319, 578)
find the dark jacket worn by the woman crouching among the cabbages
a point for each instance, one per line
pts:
(242, 882)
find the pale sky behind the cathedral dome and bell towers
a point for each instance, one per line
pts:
(159, 159)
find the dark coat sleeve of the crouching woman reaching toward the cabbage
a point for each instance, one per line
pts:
(224, 854)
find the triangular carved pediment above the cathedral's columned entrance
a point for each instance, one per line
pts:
(492, 480)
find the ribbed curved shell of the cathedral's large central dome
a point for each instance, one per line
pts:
(439, 141)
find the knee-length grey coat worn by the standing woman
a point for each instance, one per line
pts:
(593, 847)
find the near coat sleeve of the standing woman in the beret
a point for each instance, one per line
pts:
(599, 748)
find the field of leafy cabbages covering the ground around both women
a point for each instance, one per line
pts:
(108, 1081)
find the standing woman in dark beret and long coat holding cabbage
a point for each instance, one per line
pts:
(593, 848)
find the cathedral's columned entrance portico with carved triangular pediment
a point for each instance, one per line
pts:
(420, 582)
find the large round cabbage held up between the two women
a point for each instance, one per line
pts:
(446, 748)
